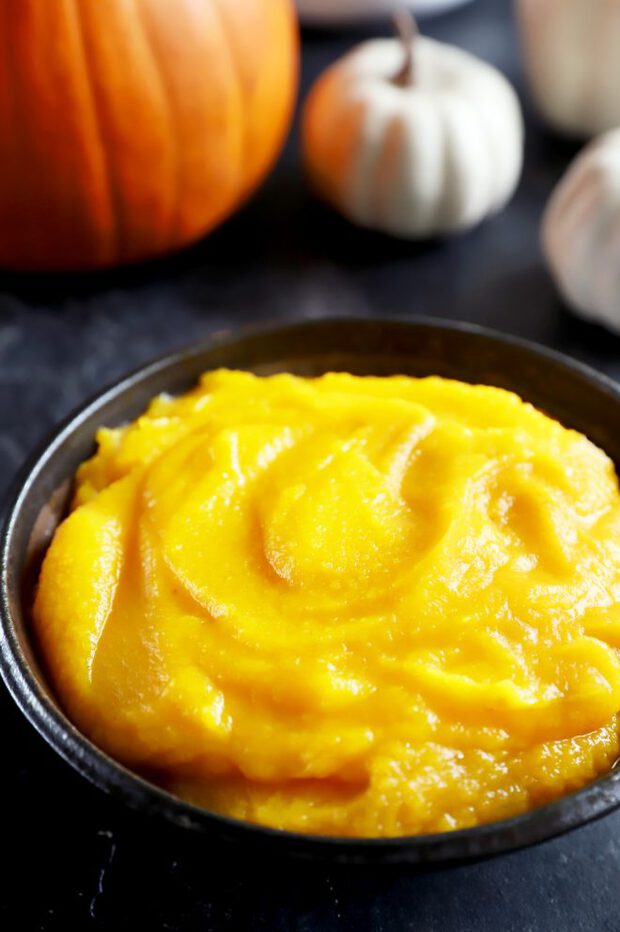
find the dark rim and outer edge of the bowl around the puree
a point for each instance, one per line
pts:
(585, 805)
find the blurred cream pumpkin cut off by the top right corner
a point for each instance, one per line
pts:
(572, 59)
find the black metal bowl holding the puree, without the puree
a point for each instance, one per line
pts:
(575, 395)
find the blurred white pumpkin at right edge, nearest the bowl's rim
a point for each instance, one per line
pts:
(581, 232)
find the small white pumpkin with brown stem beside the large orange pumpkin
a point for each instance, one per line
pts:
(413, 138)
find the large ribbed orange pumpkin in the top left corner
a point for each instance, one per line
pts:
(129, 128)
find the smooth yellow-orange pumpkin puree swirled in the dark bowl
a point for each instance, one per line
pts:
(353, 606)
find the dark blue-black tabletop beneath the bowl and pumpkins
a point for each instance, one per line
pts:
(73, 859)
